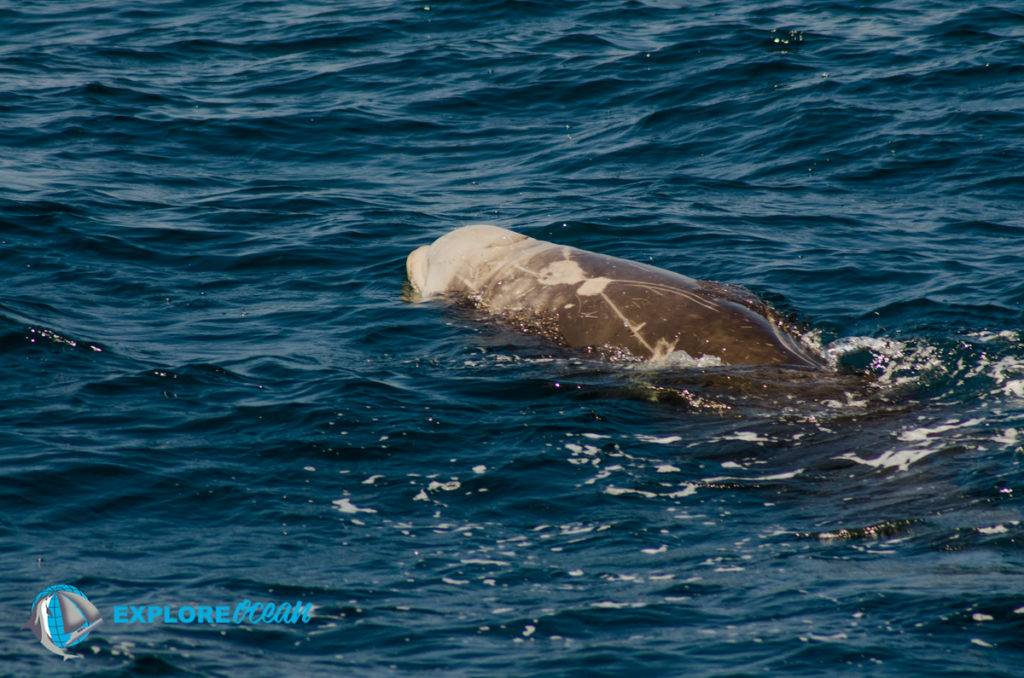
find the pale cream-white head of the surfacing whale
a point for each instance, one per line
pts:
(461, 259)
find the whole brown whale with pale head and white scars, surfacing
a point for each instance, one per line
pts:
(602, 304)
